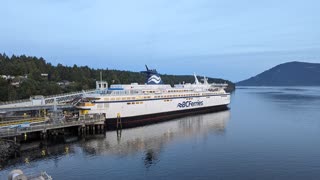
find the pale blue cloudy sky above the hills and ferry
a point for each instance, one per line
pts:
(231, 39)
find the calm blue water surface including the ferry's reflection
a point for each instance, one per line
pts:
(268, 133)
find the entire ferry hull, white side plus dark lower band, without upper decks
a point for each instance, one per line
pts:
(156, 110)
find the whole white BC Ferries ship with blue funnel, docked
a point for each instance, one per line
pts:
(153, 101)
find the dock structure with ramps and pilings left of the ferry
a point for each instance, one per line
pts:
(46, 115)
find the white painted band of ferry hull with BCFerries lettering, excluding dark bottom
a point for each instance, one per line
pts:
(155, 106)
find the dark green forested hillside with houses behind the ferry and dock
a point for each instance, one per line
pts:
(24, 76)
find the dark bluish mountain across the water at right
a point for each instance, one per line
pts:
(287, 74)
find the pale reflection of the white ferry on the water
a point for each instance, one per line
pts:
(151, 139)
